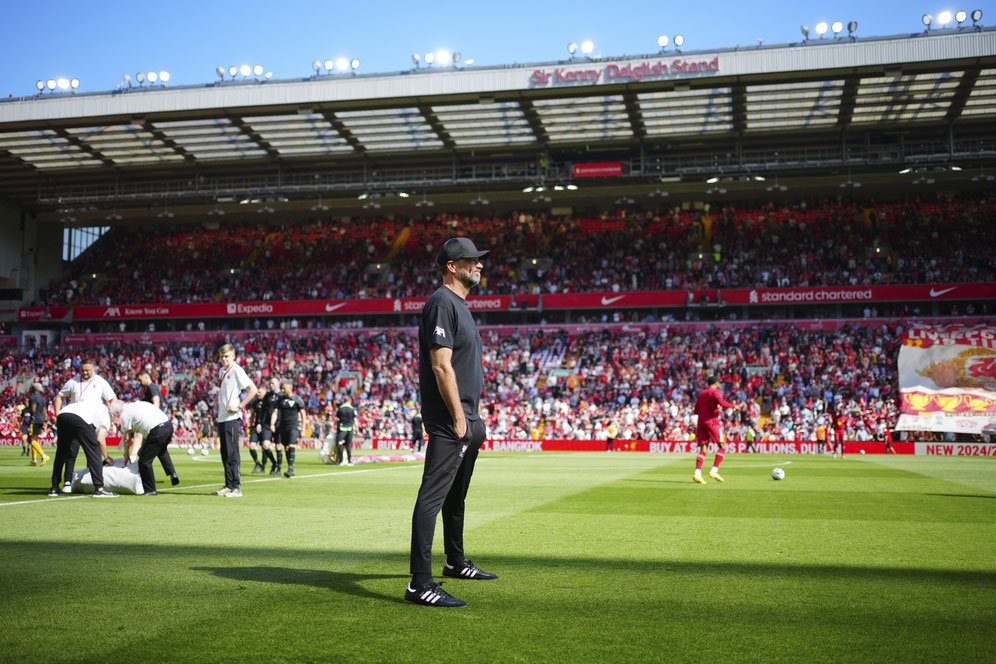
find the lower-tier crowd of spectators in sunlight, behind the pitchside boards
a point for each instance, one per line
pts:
(540, 382)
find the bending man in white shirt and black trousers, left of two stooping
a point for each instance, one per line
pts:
(82, 423)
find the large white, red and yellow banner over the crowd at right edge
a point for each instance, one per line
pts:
(947, 379)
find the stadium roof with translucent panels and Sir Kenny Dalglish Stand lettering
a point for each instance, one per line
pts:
(809, 114)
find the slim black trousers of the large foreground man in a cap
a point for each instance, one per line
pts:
(449, 465)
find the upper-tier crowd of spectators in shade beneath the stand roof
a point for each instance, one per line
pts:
(823, 242)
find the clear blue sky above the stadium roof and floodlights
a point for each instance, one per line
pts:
(97, 42)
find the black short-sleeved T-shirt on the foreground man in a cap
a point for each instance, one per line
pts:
(446, 321)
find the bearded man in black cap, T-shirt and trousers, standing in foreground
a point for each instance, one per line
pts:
(451, 379)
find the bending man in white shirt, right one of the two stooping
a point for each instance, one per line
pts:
(145, 433)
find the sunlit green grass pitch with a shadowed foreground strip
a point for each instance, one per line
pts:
(602, 558)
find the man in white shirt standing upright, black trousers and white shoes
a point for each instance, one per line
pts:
(232, 382)
